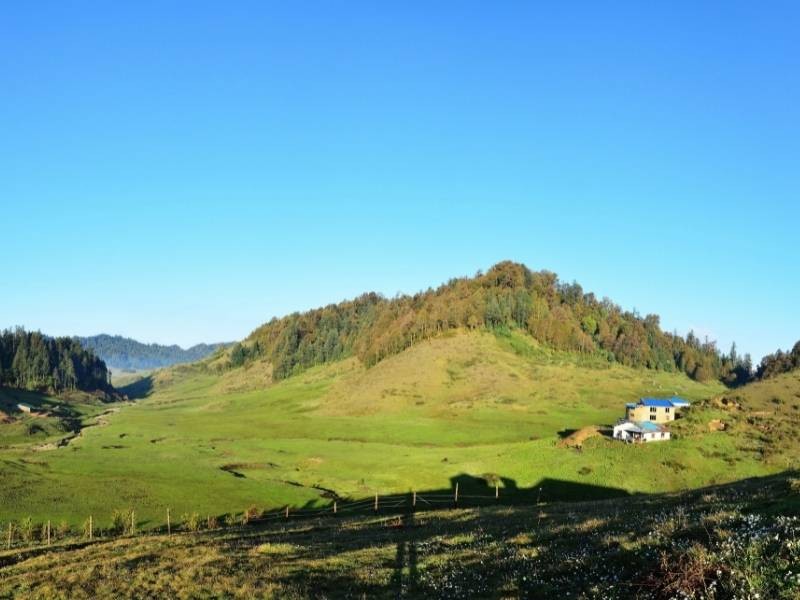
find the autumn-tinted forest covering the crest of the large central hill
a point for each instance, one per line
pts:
(559, 315)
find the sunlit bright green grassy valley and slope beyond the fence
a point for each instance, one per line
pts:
(465, 404)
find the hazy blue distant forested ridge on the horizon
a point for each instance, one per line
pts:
(125, 353)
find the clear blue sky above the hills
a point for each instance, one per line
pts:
(182, 172)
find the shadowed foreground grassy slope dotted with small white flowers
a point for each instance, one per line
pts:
(730, 540)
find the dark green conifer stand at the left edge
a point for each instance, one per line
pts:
(32, 361)
